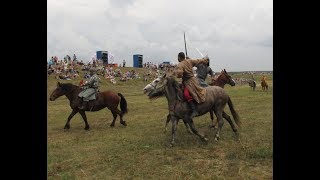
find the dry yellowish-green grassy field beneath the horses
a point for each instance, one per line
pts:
(141, 150)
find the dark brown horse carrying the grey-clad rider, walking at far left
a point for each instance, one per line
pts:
(104, 99)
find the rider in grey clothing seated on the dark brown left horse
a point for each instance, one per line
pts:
(90, 88)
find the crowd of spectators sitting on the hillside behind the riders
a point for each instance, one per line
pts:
(69, 68)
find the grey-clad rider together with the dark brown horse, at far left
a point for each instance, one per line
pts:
(88, 92)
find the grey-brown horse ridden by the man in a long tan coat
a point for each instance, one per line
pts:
(216, 100)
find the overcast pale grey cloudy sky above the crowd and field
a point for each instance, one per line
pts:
(236, 34)
